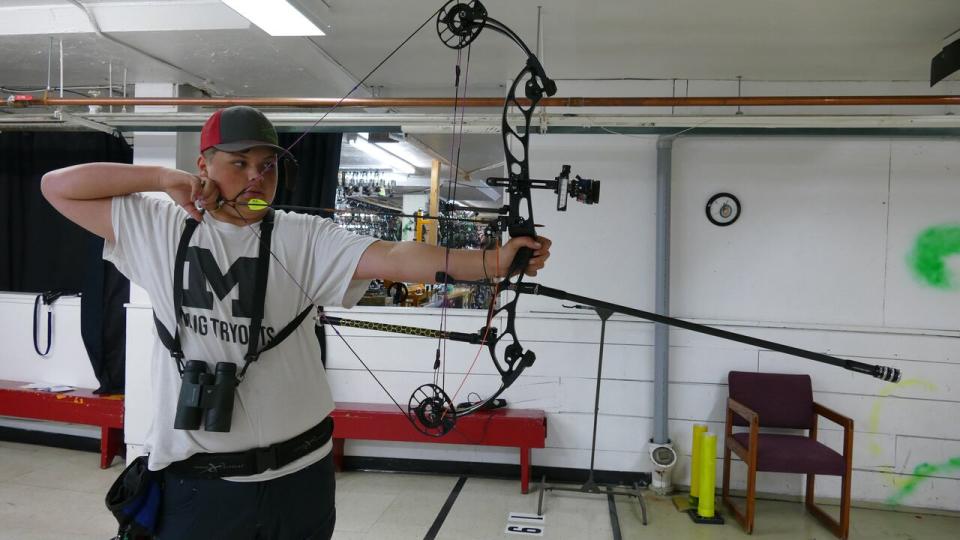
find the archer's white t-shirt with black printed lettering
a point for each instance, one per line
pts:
(285, 392)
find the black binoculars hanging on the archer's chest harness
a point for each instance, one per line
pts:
(207, 394)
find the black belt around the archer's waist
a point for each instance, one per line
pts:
(256, 460)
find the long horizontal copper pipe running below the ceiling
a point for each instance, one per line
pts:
(718, 101)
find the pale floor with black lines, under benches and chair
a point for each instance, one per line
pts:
(52, 493)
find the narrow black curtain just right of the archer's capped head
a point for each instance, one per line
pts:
(318, 159)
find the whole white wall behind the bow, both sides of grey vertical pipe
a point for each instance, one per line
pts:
(817, 260)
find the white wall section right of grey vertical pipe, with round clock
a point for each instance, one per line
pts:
(818, 260)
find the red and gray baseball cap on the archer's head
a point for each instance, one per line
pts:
(239, 128)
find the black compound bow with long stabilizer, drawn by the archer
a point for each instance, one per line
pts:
(430, 409)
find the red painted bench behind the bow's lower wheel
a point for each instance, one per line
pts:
(518, 428)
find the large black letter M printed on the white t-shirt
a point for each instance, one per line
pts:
(203, 269)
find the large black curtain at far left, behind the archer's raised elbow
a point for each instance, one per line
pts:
(43, 251)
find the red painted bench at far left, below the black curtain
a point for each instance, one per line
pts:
(80, 406)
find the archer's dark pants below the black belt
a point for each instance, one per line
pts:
(298, 506)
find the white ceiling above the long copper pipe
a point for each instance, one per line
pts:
(810, 40)
